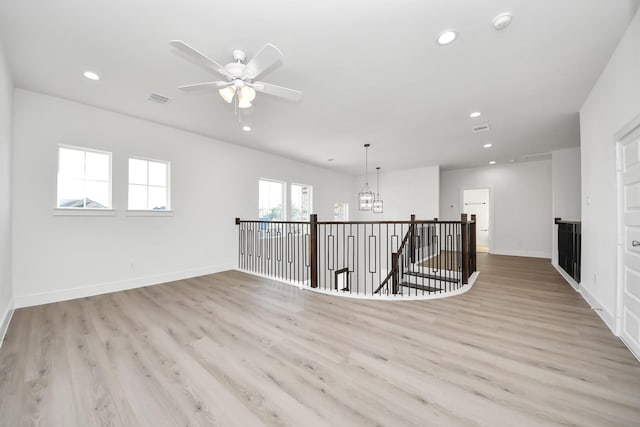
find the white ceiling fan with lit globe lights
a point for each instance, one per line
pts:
(240, 84)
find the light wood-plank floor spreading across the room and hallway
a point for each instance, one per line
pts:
(232, 349)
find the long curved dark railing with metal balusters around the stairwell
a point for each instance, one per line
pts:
(364, 258)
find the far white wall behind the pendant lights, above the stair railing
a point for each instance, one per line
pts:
(405, 192)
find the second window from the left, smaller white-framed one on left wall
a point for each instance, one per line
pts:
(148, 185)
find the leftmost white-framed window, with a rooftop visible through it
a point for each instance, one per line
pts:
(84, 178)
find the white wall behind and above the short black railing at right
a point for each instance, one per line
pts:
(565, 167)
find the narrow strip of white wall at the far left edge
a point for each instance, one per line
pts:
(6, 105)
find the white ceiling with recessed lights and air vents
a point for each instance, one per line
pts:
(370, 71)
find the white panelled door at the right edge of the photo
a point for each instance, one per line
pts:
(629, 282)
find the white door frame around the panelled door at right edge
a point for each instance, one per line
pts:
(629, 130)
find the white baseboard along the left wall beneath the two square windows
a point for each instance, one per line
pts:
(120, 285)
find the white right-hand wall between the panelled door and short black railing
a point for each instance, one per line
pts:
(613, 102)
